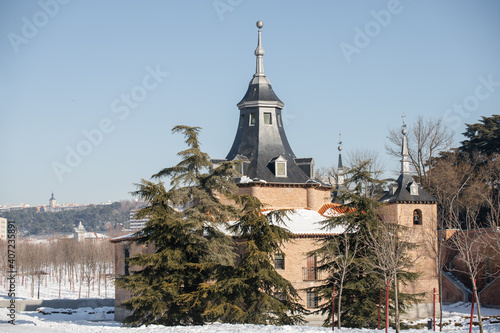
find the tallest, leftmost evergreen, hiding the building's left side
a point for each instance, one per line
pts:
(189, 246)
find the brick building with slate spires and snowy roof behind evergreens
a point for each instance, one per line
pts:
(271, 172)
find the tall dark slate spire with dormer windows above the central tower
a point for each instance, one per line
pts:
(260, 145)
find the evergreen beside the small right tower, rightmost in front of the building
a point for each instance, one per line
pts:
(359, 283)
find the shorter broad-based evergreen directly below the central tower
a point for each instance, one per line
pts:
(254, 292)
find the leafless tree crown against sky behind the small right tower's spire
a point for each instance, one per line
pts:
(426, 138)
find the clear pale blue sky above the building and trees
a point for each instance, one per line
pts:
(90, 90)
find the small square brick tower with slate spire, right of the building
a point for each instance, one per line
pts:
(408, 204)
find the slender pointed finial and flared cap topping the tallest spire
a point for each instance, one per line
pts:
(260, 92)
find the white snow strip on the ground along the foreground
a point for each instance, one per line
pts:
(93, 320)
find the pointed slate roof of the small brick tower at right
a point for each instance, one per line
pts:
(406, 189)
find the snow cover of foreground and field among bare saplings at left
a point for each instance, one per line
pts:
(101, 319)
